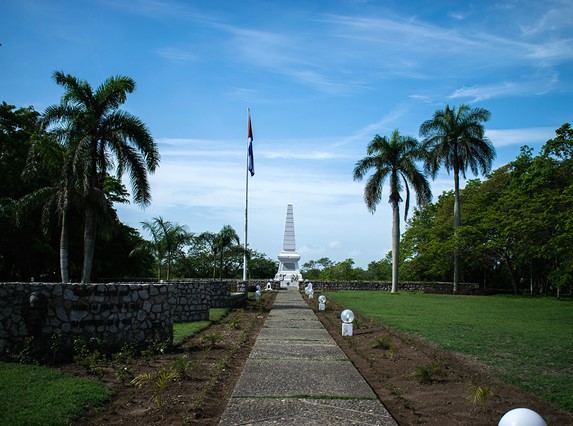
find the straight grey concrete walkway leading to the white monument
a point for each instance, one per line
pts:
(297, 375)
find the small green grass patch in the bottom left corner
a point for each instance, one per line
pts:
(33, 395)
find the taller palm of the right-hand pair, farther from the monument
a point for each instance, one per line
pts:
(456, 140)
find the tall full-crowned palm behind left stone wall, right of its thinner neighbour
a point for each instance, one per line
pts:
(100, 137)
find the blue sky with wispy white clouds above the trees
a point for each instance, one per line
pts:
(321, 79)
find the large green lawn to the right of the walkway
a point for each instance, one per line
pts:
(527, 341)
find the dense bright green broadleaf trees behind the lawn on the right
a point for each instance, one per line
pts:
(517, 230)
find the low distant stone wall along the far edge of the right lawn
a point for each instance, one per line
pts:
(427, 287)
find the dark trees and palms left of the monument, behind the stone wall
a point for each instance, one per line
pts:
(61, 175)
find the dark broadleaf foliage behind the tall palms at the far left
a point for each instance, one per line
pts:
(31, 193)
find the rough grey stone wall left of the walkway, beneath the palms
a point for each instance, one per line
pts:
(112, 313)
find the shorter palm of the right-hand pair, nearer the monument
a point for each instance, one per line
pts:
(394, 159)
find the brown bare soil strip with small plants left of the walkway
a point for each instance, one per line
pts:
(216, 356)
